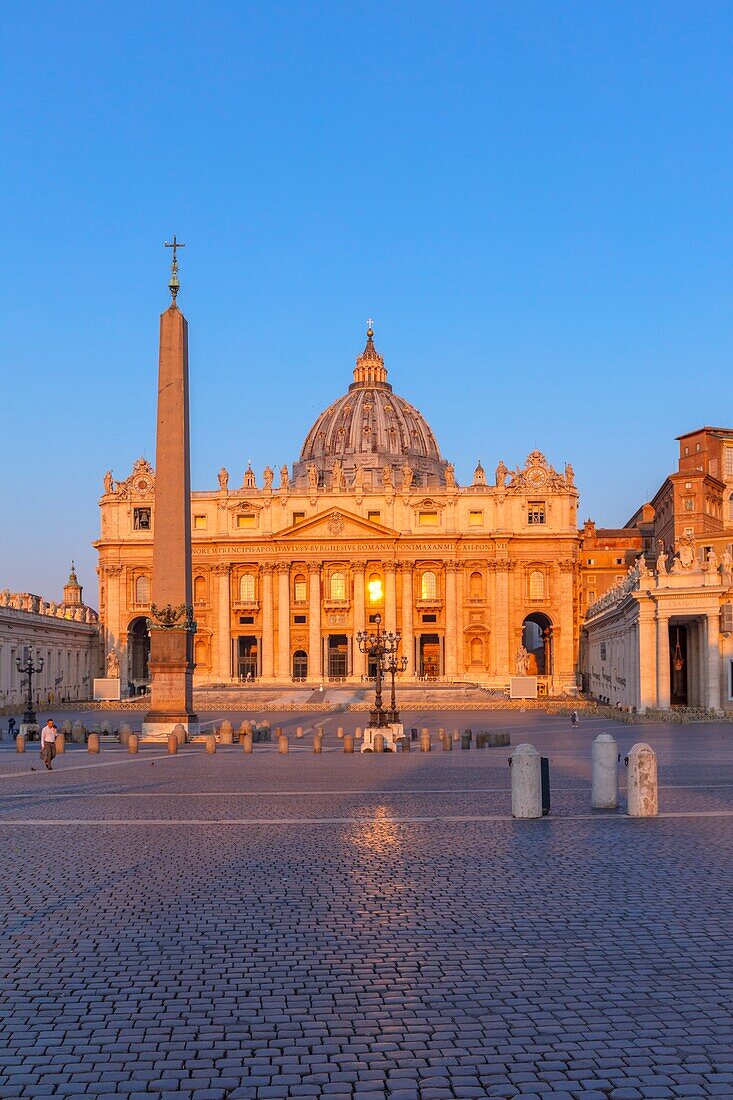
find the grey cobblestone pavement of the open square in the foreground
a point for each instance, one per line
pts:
(228, 927)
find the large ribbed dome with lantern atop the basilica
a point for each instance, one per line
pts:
(374, 428)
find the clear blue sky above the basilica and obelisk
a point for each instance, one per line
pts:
(533, 202)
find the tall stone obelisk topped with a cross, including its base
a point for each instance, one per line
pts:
(172, 613)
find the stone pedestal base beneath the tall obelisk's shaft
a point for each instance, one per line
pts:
(172, 689)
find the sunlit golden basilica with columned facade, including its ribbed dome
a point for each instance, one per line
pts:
(368, 526)
